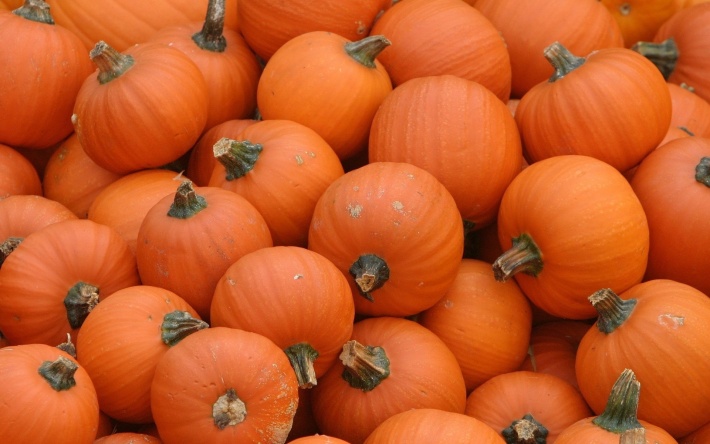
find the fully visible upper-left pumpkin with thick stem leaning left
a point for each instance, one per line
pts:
(150, 83)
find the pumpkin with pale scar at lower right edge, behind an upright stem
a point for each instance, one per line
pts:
(670, 316)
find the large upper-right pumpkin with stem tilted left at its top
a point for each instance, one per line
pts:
(554, 119)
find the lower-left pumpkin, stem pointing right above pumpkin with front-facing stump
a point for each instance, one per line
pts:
(122, 340)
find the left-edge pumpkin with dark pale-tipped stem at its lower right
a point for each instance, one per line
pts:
(66, 254)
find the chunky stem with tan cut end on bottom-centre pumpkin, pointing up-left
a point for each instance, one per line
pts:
(365, 366)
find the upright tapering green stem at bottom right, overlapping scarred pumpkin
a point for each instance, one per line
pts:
(619, 415)
